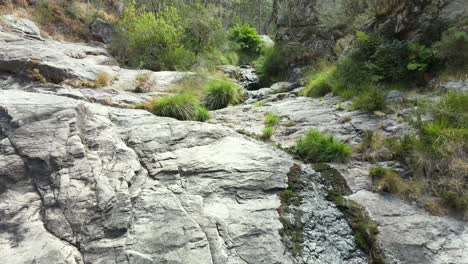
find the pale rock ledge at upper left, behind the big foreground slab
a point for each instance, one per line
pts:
(59, 61)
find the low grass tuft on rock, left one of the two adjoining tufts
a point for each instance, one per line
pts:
(181, 107)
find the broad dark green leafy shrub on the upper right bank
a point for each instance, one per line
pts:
(378, 60)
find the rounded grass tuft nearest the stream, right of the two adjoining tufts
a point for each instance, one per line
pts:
(221, 93)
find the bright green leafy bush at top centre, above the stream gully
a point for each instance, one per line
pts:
(247, 38)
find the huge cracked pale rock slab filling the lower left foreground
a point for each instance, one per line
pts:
(101, 185)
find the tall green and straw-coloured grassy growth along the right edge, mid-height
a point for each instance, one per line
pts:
(437, 153)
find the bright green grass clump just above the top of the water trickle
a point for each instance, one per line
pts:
(317, 147)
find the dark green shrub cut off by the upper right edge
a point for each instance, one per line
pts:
(453, 48)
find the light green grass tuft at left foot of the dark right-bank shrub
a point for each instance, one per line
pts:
(320, 82)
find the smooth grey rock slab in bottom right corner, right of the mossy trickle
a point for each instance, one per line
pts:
(410, 235)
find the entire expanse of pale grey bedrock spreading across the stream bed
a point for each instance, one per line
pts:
(85, 179)
